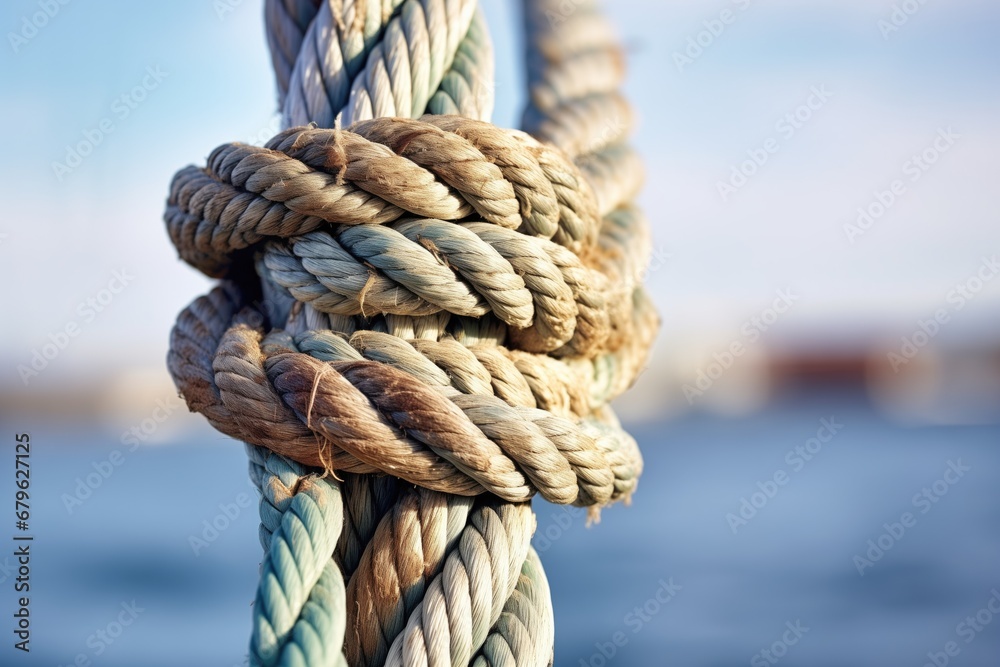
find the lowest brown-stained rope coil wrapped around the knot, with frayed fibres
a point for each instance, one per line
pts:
(361, 415)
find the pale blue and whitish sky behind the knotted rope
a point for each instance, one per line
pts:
(157, 86)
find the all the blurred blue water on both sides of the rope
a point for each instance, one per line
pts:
(733, 593)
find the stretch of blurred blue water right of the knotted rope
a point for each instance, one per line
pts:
(794, 559)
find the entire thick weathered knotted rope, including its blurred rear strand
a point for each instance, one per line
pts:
(420, 322)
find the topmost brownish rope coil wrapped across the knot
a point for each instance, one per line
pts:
(444, 168)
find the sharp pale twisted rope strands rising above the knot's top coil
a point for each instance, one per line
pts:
(366, 59)
